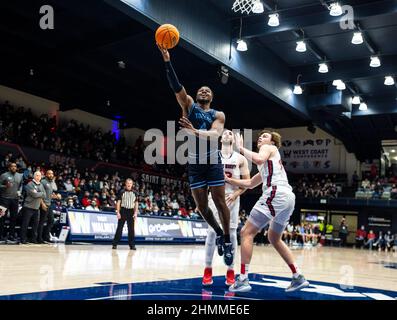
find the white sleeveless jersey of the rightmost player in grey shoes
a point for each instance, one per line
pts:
(273, 173)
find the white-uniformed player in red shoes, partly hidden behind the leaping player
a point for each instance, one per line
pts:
(236, 166)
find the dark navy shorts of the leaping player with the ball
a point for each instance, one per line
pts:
(206, 175)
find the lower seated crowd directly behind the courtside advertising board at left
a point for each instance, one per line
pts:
(85, 189)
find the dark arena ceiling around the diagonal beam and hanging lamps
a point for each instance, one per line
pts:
(76, 65)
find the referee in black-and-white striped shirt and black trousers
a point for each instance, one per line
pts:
(126, 210)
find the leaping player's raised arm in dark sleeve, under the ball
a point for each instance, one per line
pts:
(184, 100)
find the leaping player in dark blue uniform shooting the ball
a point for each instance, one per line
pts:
(205, 168)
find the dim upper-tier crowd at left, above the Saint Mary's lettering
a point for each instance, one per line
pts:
(73, 139)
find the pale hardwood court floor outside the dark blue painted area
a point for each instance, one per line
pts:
(35, 268)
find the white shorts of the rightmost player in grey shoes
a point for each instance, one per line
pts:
(275, 206)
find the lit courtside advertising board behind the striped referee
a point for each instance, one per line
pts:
(101, 226)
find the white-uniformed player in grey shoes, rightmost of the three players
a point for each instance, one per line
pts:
(275, 206)
